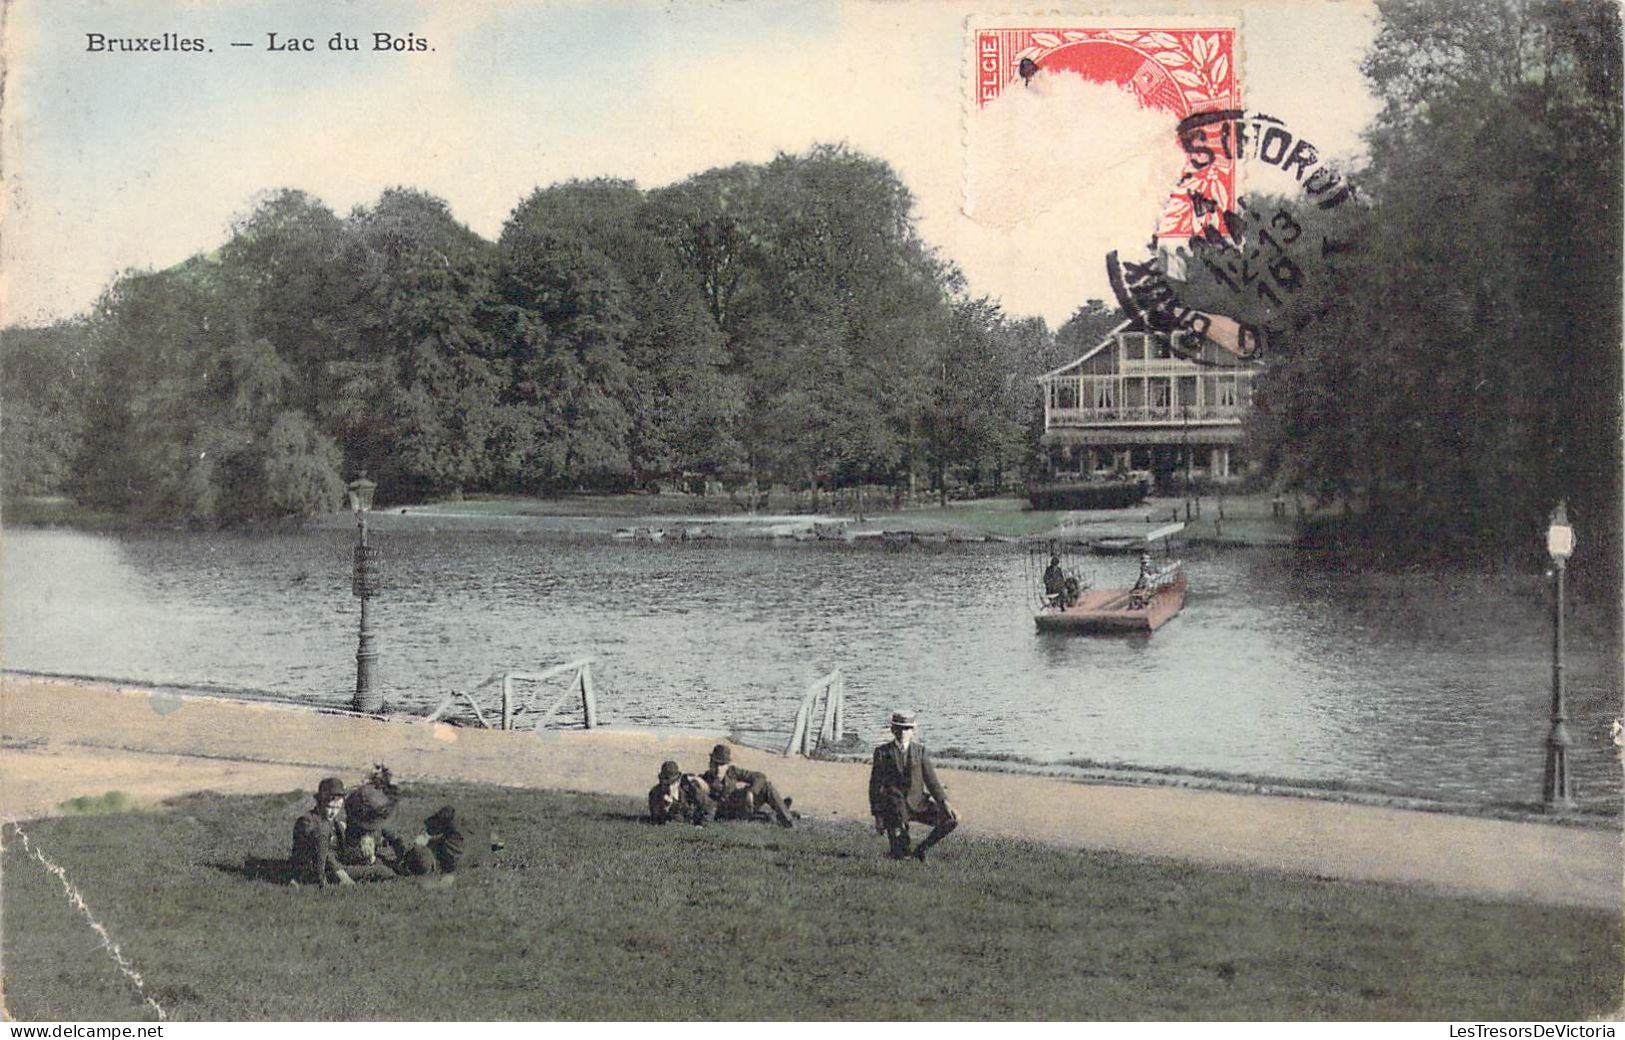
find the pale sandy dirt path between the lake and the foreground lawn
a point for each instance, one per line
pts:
(63, 740)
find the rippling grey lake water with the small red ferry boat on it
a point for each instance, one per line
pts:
(1436, 685)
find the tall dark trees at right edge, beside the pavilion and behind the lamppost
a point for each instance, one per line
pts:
(1458, 371)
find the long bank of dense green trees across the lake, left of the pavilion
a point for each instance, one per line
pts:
(771, 324)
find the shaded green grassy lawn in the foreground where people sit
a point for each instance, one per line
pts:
(591, 914)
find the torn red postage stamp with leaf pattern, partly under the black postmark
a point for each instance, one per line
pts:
(1176, 71)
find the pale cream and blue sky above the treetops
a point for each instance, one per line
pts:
(121, 162)
